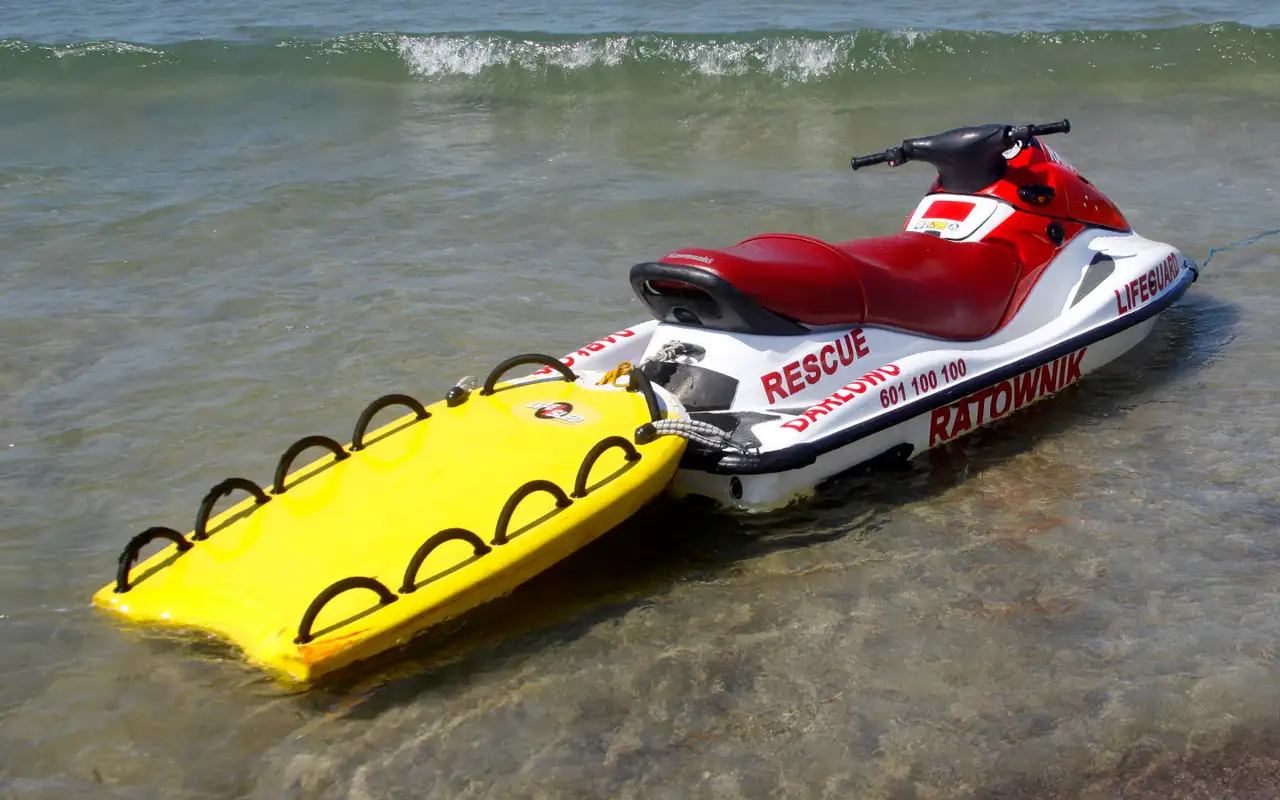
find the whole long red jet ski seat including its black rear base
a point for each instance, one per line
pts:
(779, 284)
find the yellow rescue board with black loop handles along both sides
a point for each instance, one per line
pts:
(406, 527)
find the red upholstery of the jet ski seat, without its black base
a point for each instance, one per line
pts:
(908, 281)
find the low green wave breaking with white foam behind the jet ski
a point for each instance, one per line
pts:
(788, 57)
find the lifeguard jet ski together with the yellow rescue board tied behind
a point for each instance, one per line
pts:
(764, 371)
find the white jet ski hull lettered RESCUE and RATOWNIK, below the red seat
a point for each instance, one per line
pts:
(798, 410)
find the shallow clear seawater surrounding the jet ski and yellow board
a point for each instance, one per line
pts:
(205, 257)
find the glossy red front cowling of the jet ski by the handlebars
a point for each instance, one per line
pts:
(1075, 198)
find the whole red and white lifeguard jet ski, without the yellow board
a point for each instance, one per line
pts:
(787, 360)
